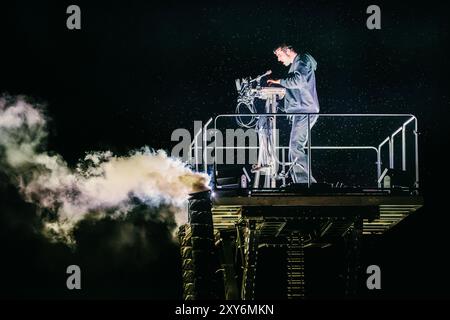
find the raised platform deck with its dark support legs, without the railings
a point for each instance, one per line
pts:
(228, 228)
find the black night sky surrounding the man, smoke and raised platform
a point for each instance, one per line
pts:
(137, 70)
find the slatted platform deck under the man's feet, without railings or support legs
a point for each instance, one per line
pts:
(275, 210)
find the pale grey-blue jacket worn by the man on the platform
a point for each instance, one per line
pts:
(300, 84)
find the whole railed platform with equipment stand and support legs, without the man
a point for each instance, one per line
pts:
(256, 212)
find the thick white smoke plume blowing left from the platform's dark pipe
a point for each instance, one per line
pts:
(101, 181)
